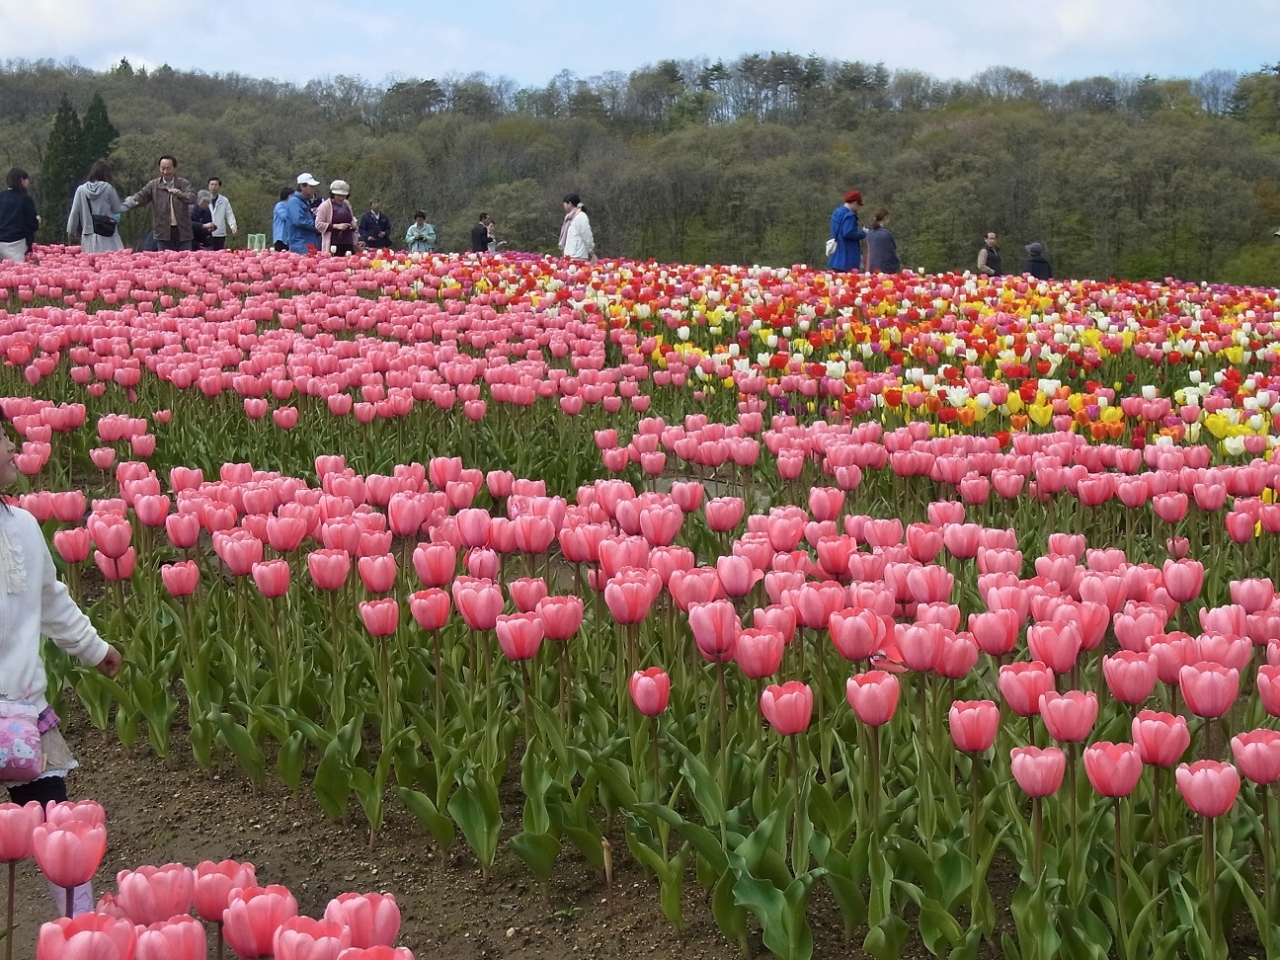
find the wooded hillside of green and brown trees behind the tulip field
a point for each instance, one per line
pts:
(703, 162)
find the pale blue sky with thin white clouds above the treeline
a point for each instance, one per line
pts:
(533, 40)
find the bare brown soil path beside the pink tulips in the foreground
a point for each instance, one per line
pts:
(172, 811)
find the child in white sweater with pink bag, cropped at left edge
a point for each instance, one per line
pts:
(35, 604)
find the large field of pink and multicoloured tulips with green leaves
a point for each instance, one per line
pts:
(947, 602)
